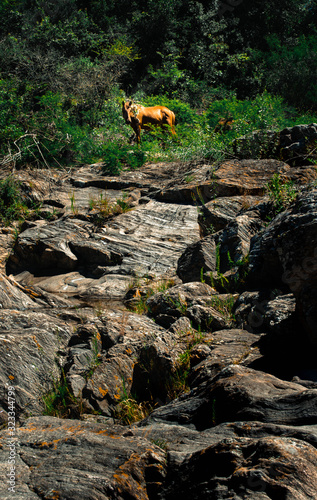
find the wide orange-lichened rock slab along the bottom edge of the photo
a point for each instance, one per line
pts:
(65, 459)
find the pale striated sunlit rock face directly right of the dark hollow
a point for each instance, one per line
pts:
(151, 238)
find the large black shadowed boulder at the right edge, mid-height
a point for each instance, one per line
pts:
(284, 255)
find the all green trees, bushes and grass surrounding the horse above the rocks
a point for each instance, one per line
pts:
(65, 67)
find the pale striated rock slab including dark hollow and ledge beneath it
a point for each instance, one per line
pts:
(69, 257)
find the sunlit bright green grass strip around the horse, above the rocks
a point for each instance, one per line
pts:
(58, 136)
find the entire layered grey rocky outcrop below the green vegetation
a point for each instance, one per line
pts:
(219, 368)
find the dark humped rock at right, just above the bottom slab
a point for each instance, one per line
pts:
(239, 393)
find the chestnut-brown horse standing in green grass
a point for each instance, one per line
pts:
(140, 117)
